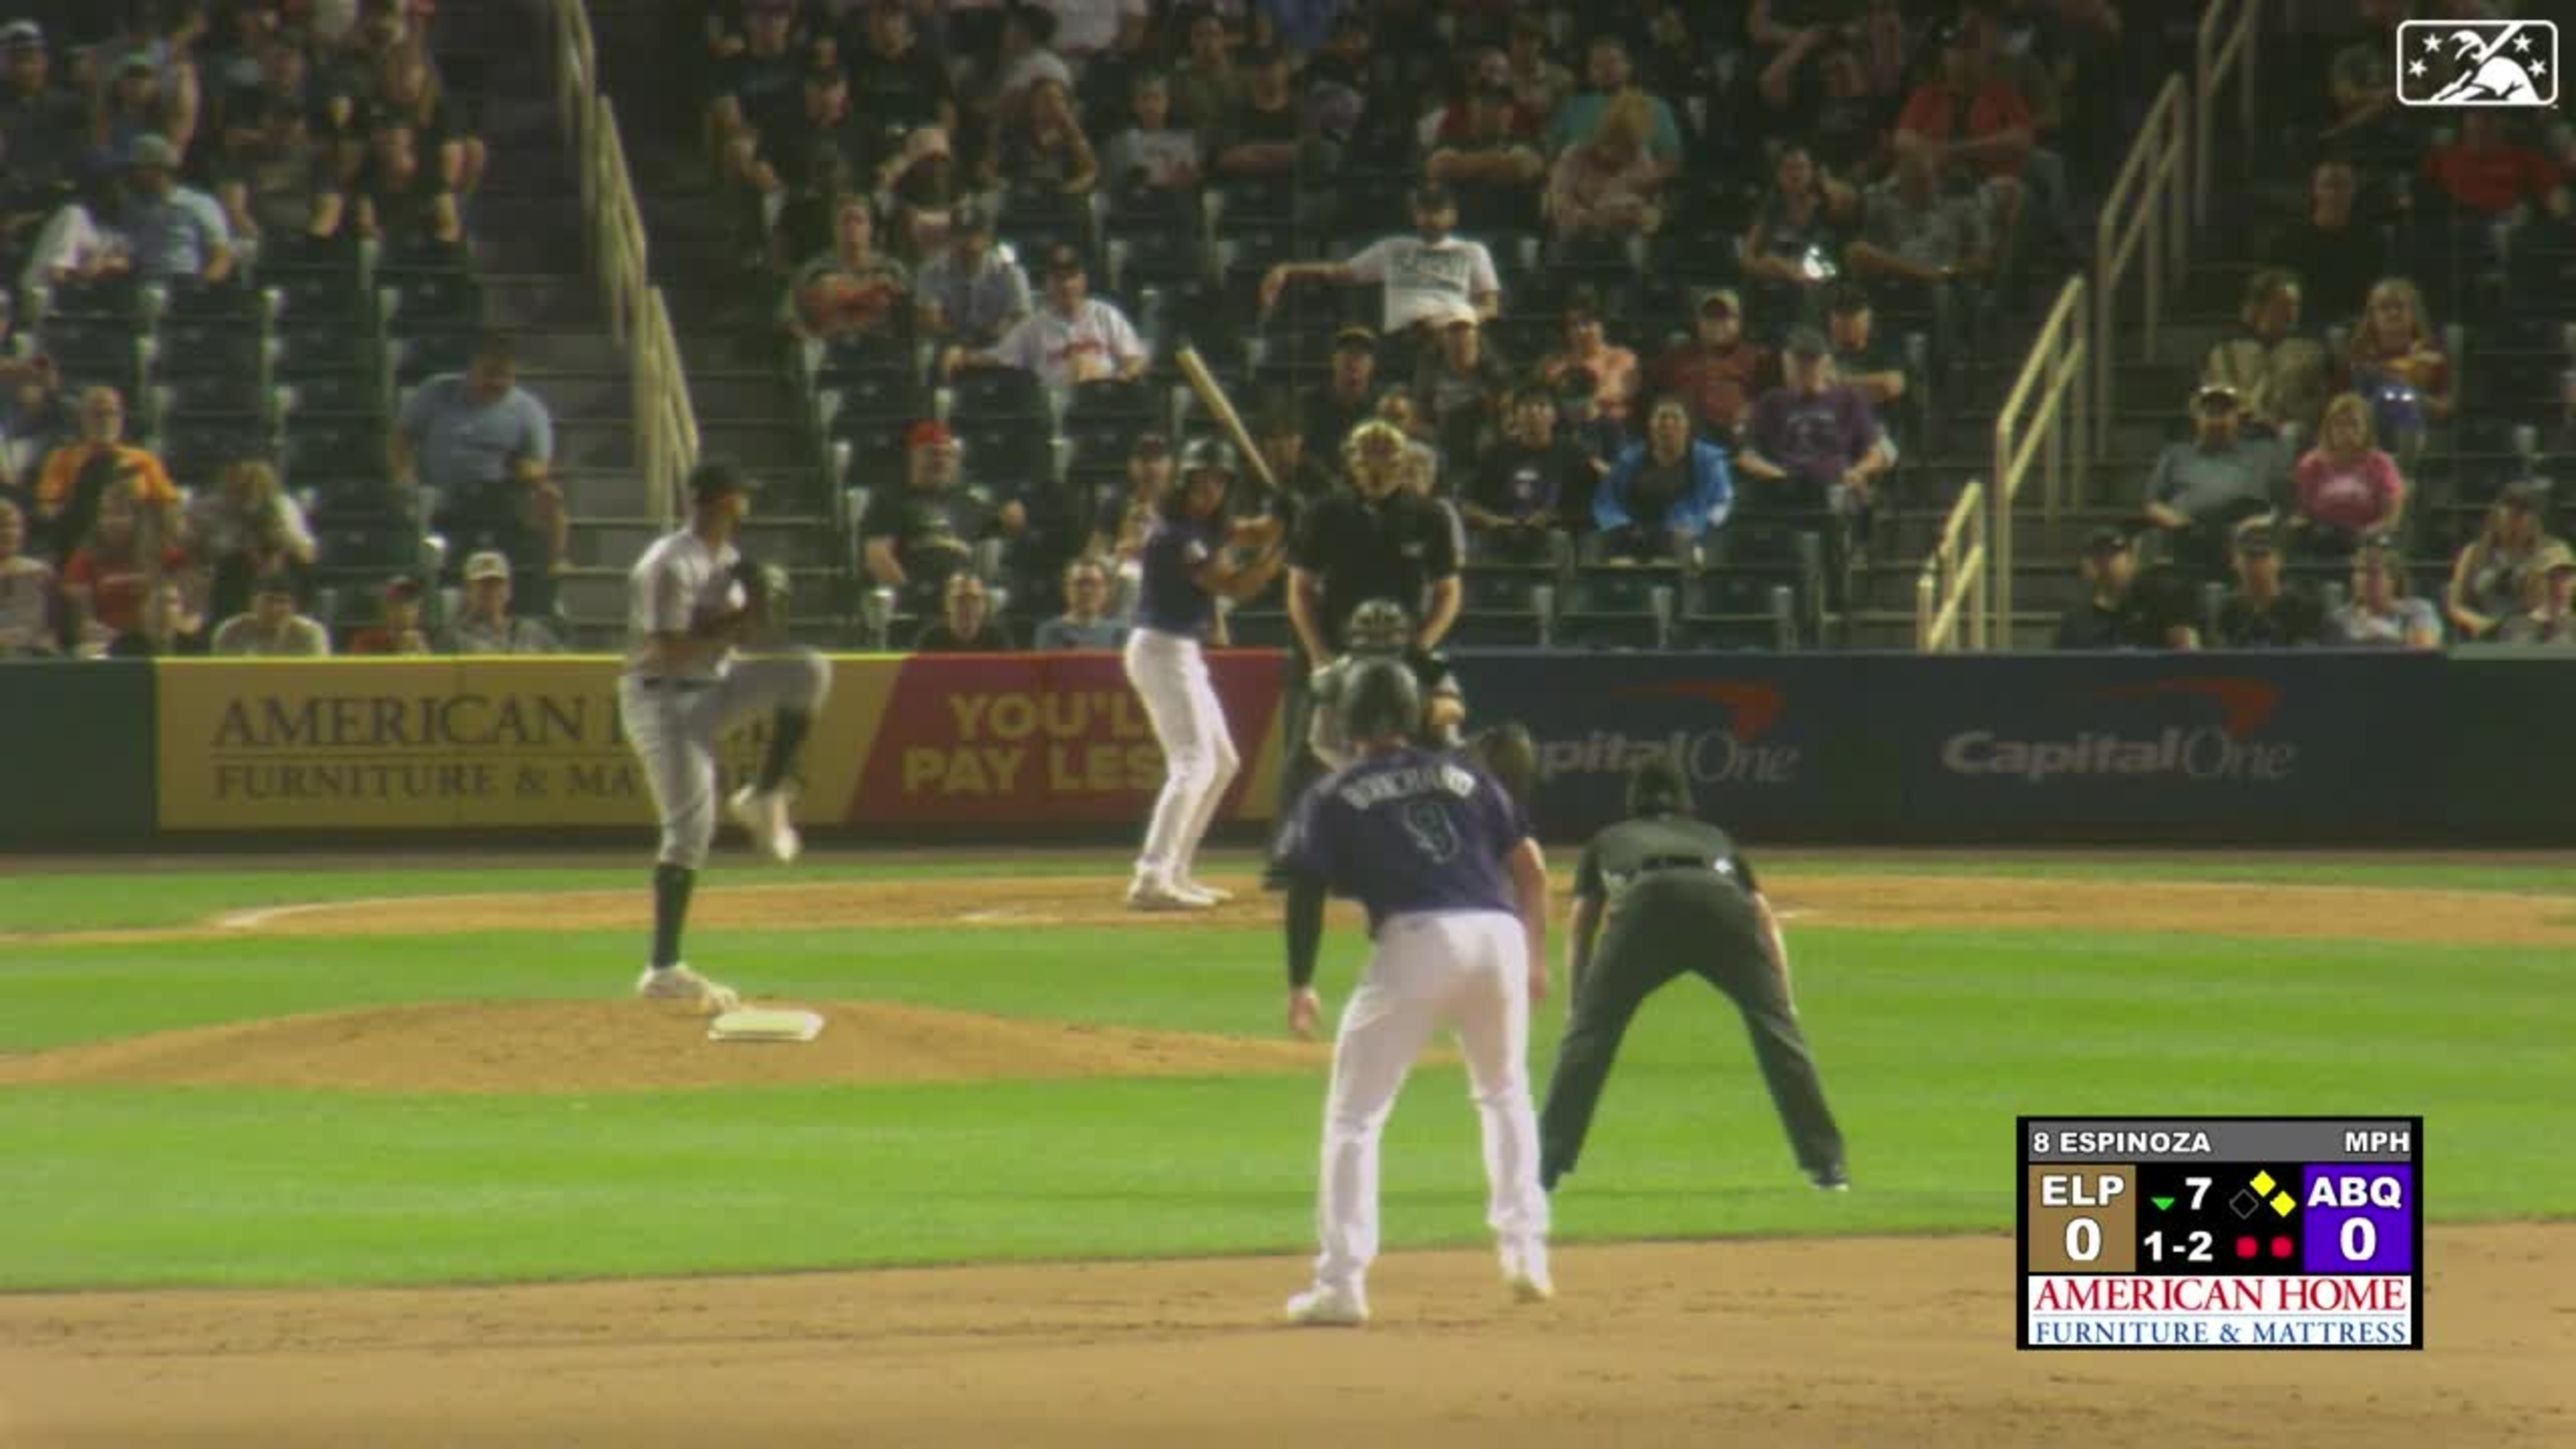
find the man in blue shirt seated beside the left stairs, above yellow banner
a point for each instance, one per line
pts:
(486, 447)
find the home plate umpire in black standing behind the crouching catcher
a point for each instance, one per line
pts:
(1377, 540)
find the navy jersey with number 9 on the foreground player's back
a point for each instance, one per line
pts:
(1410, 831)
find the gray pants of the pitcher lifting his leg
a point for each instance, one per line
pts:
(674, 728)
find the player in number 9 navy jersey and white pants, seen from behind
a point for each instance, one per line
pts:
(1457, 901)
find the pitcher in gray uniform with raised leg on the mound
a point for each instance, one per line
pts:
(689, 605)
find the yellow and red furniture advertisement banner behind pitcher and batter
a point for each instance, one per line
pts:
(537, 741)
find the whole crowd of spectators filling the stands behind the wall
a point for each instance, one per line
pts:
(1668, 303)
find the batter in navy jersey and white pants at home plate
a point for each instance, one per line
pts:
(1191, 558)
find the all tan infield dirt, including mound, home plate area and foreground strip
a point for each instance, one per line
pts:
(1761, 1345)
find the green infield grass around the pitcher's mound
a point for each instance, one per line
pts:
(1931, 1045)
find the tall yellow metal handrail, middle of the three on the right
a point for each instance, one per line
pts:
(2047, 409)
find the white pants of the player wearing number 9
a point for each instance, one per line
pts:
(1467, 971)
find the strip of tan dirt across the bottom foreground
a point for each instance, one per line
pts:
(1846, 1345)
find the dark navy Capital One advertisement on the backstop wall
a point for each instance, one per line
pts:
(1918, 749)
